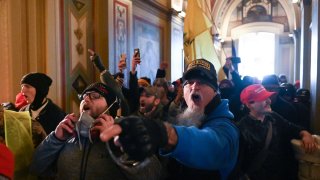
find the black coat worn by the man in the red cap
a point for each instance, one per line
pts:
(280, 162)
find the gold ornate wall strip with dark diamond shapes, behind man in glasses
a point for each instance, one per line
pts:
(77, 38)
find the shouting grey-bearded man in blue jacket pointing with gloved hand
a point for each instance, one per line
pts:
(204, 144)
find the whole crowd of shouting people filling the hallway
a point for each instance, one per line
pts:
(193, 128)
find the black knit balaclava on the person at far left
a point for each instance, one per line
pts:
(41, 82)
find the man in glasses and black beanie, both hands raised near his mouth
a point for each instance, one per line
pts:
(74, 150)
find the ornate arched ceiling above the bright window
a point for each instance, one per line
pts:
(229, 14)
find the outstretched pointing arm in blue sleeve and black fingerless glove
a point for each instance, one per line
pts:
(217, 144)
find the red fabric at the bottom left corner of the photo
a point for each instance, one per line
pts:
(6, 161)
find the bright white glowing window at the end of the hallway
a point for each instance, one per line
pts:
(257, 52)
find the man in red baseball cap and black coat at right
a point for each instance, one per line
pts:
(266, 151)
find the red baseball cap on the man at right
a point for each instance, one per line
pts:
(254, 92)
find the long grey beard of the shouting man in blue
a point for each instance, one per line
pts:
(191, 117)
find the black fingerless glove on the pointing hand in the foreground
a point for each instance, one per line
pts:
(141, 137)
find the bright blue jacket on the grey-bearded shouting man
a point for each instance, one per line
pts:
(214, 146)
